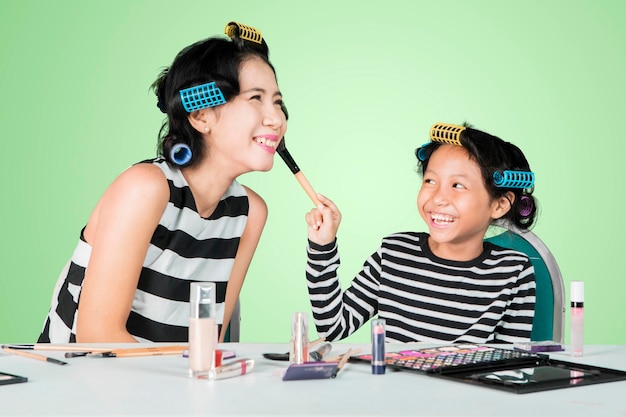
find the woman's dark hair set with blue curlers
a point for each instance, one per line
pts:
(216, 59)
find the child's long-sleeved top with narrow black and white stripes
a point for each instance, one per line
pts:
(423, 297)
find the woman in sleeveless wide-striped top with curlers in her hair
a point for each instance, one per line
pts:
(183, 217)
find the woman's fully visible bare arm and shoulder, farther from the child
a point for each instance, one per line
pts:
(119, 232)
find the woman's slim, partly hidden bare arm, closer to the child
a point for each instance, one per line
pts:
(257, 215)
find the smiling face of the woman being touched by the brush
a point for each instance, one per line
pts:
(246, 131)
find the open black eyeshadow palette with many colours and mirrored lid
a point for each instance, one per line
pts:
(506, 369)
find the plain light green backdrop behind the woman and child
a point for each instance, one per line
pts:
(363, 81)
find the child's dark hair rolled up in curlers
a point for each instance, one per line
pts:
(493, 154)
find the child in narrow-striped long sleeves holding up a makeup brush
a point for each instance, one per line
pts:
(447, 285)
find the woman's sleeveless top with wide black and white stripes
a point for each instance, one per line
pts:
(184, 248)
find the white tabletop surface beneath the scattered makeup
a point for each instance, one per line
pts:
(159, 385)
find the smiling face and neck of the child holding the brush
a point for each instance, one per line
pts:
(455, 204)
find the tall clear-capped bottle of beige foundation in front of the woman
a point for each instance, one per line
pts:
(202, 329)
